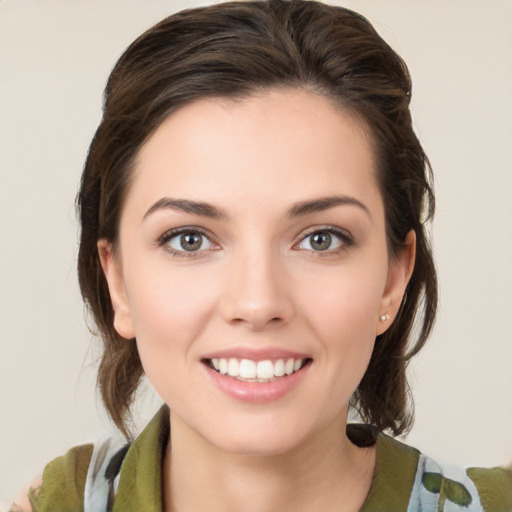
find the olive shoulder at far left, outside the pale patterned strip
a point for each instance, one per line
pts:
(61, 488)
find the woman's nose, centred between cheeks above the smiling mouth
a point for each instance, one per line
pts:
(257, 291)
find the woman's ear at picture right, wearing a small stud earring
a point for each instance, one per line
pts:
(400, 271)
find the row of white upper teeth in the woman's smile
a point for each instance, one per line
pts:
(260, 371)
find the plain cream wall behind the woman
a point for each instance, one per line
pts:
(55, 57)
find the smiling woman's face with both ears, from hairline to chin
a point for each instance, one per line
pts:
(252, 240)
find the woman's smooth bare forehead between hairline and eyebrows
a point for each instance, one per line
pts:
(284, 144)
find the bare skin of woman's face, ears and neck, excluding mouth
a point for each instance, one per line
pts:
(257, 282)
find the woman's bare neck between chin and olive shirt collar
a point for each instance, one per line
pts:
(325, 473)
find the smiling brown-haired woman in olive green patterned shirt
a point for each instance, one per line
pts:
(253, 241)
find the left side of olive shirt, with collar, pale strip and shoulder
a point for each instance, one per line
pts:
(88, 477)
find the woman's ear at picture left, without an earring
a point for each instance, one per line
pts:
(123, 322)
